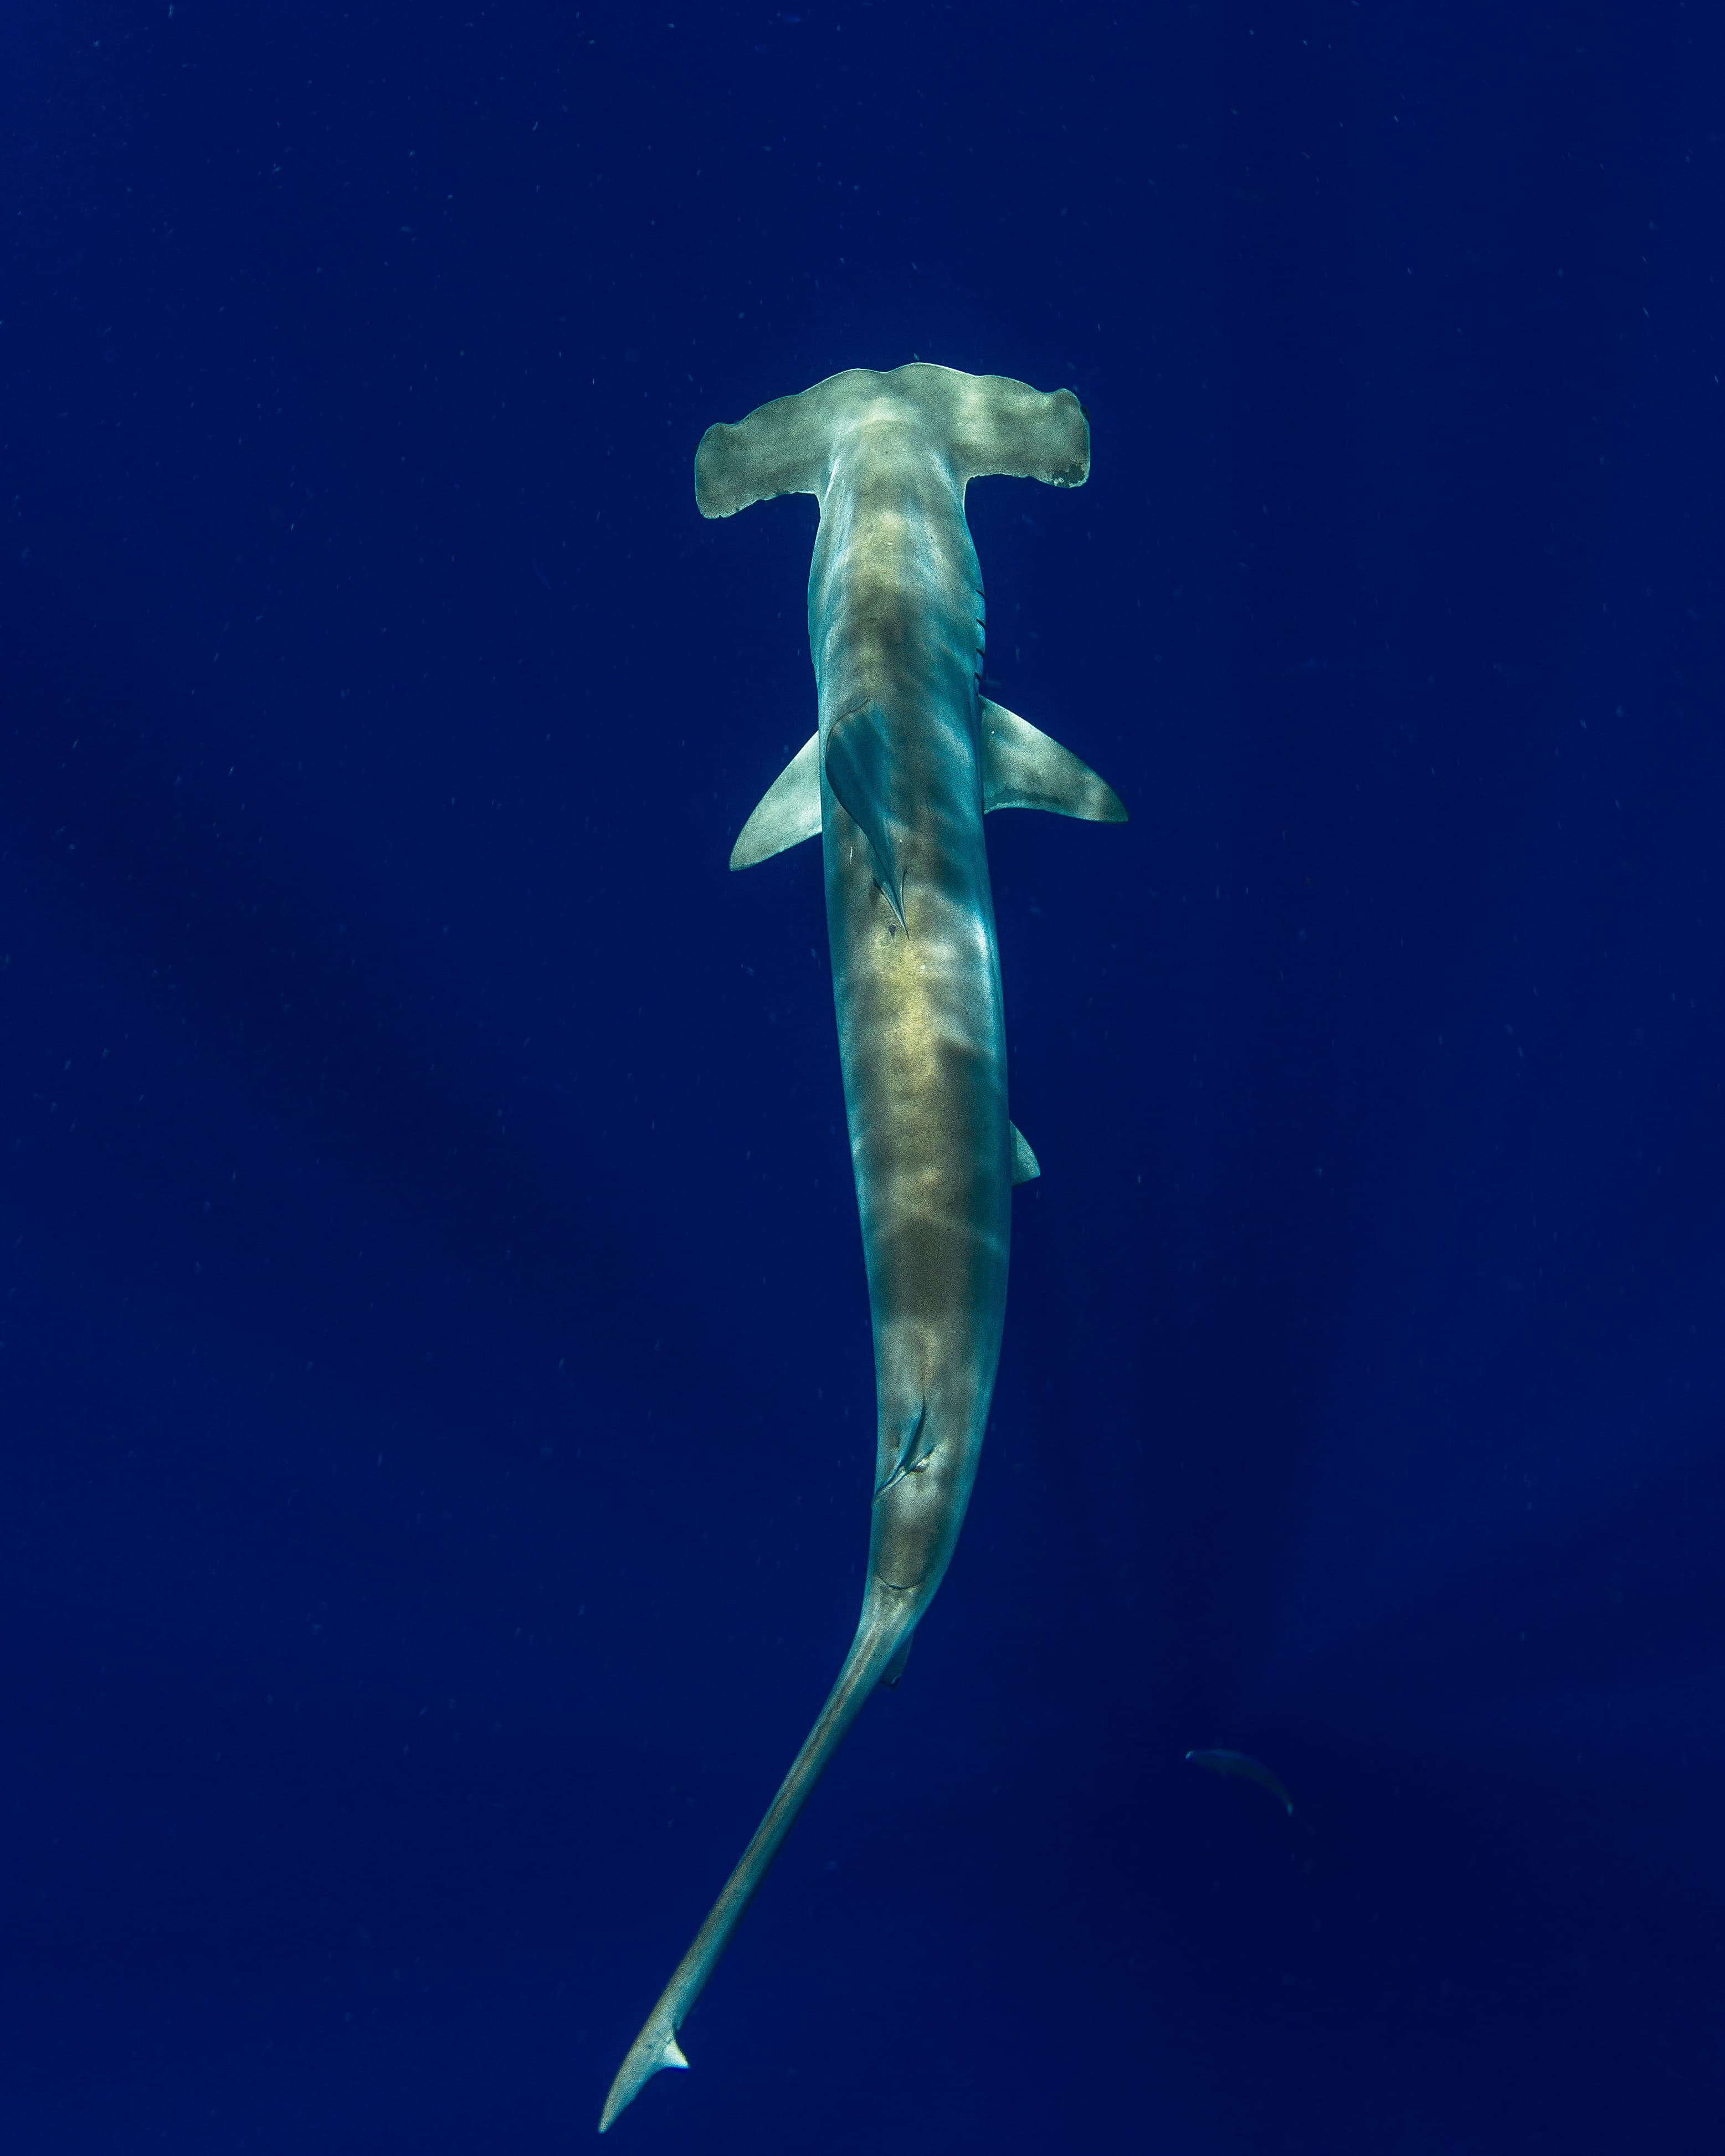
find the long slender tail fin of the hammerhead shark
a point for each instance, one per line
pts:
(887, 1616)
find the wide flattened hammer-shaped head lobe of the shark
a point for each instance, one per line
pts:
(989, 426)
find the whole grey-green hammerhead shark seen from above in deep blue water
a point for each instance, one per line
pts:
(896, 782)
